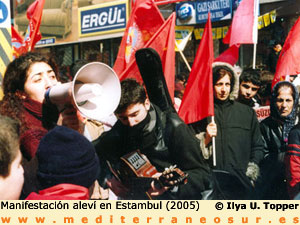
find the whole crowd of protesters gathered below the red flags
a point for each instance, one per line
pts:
(50, 154)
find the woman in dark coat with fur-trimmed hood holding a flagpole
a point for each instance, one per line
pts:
(239, 146)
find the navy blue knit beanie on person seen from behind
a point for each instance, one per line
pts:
(66, 156)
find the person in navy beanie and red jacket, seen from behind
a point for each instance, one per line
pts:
(67, 166)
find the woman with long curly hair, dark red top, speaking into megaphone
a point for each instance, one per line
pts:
(24, 85)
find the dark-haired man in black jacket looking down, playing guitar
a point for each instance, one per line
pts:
(161, 136)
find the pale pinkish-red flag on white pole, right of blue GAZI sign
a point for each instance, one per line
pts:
(243, 29)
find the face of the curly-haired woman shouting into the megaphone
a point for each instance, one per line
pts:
(40, 77)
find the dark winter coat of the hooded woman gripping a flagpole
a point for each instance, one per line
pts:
(239, 147)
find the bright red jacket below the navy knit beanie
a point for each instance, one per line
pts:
(61, 192)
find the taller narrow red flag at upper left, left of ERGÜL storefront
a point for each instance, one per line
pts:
(34, 15)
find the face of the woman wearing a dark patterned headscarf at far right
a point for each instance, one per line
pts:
(285, 101)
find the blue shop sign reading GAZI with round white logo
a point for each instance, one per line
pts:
(219, 10)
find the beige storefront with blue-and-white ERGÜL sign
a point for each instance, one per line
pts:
(72, 30)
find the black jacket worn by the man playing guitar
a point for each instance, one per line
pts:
(165, 140)
